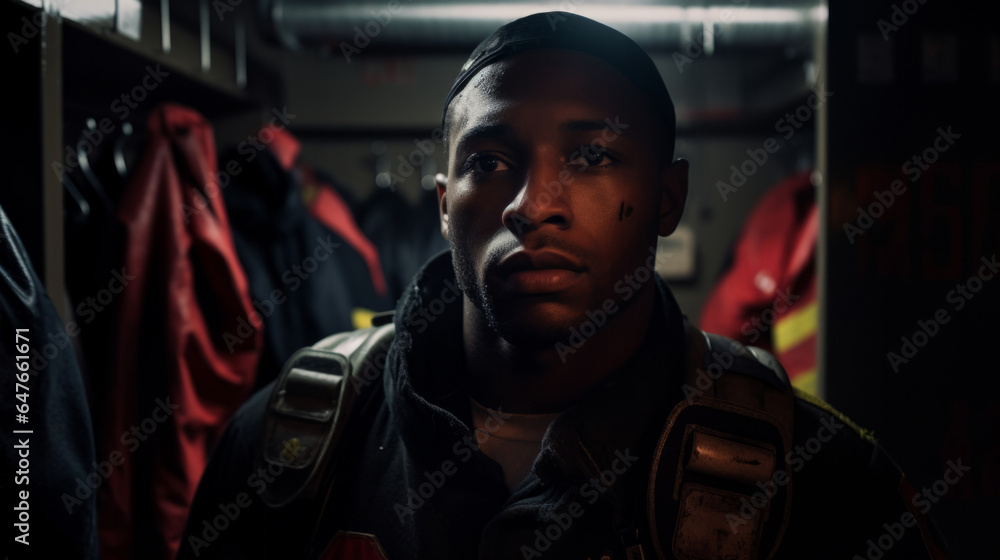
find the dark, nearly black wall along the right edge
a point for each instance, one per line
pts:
(898, 283)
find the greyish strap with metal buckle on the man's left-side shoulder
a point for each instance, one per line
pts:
(309, 407)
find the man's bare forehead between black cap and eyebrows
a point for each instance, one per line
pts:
(550, 82)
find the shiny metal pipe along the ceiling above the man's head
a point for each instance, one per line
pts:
(440, 25)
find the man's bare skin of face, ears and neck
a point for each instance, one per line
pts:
(533, 206)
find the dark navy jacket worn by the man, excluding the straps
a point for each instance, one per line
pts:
(416, 480)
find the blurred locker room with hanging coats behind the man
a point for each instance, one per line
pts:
(845, 189)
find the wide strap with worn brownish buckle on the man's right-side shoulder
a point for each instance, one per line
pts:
(720, 485)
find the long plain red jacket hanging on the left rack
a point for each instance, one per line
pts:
(184, 361)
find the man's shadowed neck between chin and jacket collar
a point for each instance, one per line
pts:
(551, 378)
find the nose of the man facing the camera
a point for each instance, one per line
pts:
(542, 201)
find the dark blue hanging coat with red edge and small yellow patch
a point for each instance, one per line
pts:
(312, 273)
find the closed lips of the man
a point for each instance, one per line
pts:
(539, 272)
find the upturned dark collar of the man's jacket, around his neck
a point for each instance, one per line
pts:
(427, 393)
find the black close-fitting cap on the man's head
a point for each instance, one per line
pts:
(564, 30)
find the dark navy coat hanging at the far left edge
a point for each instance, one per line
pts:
(50, 456)
